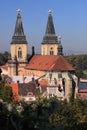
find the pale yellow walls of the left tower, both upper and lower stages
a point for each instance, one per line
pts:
(14, 52)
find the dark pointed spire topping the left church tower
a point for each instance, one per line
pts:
(19, 36)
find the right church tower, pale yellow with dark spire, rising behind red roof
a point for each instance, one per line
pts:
(50, 44)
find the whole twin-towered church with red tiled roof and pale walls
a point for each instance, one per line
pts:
(50, 67)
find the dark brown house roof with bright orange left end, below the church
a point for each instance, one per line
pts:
(22, 89)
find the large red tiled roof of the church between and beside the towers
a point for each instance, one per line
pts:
(47, 62)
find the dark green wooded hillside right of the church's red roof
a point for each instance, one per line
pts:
(79, 62)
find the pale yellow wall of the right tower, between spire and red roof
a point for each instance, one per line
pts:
(45, 49)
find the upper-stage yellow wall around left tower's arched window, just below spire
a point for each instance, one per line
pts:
(15, 48)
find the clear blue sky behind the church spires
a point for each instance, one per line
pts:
(69, 17)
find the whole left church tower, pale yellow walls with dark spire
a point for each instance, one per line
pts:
(18, 48)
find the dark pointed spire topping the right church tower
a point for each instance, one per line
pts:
(50, 36)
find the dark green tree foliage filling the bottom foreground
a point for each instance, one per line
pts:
(48, 114)
